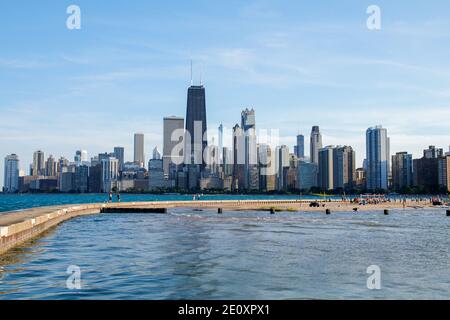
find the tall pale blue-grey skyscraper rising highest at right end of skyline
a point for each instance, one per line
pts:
(378, 158)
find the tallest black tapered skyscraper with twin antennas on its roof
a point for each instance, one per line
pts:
(196, 140)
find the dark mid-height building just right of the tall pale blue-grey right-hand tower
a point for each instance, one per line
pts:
(402, 170)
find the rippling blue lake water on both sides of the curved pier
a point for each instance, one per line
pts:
(190, 254)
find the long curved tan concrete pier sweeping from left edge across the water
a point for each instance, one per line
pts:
(19, 226)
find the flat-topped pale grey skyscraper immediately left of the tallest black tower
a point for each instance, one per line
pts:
(172, 126)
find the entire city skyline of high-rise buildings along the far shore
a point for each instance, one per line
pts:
(248, 163)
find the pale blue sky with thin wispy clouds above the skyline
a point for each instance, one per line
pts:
(297, 63)
